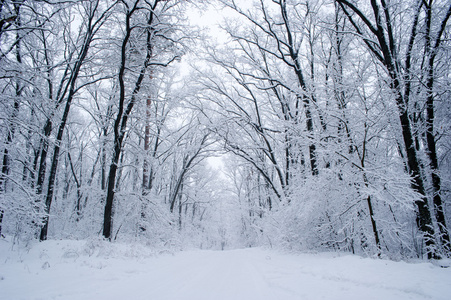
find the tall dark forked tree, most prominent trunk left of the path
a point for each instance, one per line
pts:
(151, 28)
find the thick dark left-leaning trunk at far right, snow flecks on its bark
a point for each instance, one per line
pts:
(386, 52)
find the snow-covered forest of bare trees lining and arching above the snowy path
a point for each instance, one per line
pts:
(306, 125)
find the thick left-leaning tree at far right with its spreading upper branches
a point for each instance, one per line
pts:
(377, 29)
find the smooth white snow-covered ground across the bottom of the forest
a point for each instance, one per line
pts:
(98, 270)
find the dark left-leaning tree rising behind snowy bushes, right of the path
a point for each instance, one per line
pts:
(273, 35)
